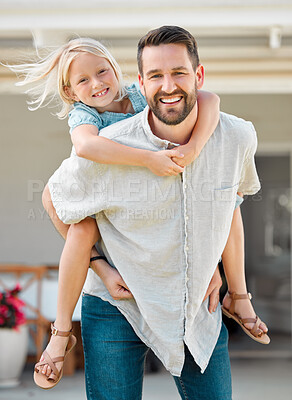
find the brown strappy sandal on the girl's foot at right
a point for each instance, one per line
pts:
(255, 333)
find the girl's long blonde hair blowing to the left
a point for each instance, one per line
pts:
(52, 72)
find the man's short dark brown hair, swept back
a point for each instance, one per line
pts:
(165, 35)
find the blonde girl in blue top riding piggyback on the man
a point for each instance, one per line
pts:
(92, 92)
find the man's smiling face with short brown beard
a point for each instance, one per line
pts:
(169, 82)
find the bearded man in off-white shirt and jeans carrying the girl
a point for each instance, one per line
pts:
(165, 236)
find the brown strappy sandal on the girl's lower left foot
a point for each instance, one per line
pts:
(48, 382)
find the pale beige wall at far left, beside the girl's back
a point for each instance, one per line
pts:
(32, 145)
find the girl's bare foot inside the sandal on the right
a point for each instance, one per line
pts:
(243, 309)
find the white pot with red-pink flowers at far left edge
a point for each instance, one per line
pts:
(13, 337)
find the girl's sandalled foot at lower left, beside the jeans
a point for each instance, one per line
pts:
(49, 370)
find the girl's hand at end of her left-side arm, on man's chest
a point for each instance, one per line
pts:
(161, 163)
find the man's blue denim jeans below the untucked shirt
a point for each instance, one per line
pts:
(115, 356)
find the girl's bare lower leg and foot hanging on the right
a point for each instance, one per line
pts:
(233, 262)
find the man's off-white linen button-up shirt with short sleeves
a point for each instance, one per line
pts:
(165, 235)
